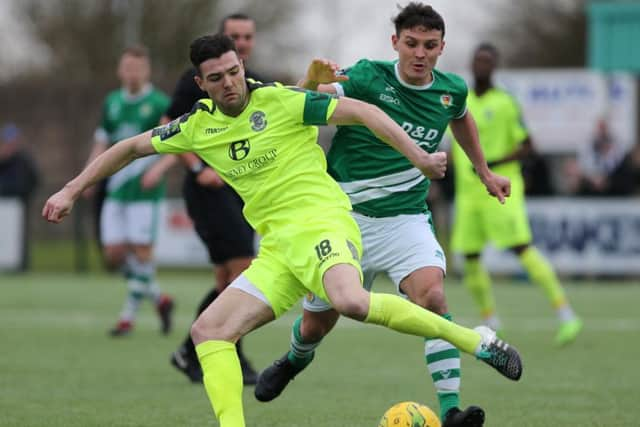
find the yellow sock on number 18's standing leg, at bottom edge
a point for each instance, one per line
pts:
(222, 380)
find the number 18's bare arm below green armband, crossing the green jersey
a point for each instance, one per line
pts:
(353, 112)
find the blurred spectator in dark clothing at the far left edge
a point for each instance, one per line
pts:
(18, 178)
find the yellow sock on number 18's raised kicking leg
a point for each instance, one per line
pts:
(404, 316)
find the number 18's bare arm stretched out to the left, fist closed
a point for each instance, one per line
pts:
(106, 164)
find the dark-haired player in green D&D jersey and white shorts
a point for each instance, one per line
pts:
(388, 194)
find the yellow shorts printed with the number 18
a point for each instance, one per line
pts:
(292, 261)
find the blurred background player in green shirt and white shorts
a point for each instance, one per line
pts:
(129, 215)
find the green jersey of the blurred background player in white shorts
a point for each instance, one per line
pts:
(124, 116)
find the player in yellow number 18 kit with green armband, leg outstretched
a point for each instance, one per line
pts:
(262, 141)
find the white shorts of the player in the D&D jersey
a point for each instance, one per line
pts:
(397, 245)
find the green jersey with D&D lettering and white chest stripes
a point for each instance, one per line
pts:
(380, 181)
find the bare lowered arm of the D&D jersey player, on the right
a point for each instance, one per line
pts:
(466, 133)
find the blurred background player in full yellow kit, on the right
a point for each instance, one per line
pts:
(479, 219)
